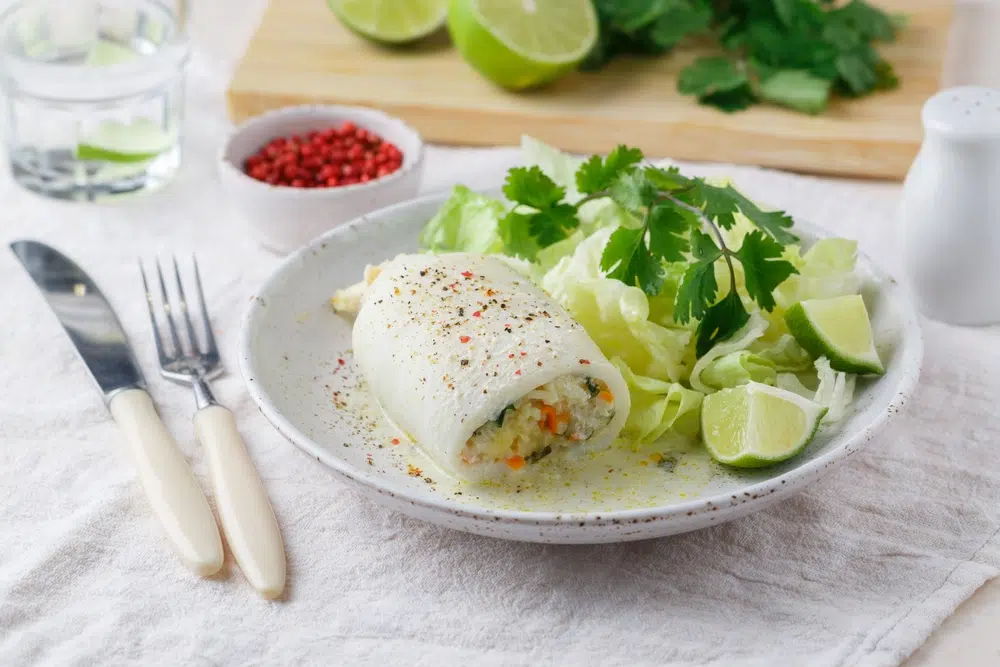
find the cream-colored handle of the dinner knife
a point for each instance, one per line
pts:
(177, 499)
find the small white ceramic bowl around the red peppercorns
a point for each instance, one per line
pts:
(283, 218)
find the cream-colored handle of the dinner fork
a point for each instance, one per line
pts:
(246, 514)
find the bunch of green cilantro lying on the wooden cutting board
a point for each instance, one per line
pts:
(792, 53)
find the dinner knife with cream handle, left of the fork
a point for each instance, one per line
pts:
(174, 494)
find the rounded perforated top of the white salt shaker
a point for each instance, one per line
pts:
(968, 112)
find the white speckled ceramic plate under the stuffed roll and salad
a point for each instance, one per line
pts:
(296, 361)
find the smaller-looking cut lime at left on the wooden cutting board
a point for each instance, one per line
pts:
(391, 21)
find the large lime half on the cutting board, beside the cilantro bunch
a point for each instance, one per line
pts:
(522, 43)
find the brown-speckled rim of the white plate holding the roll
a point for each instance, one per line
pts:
(750, 499)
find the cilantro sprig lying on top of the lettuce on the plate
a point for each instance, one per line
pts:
(682, 219)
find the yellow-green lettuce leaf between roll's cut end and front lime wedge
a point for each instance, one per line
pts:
(658, 407)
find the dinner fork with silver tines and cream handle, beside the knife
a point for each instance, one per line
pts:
(247, 518)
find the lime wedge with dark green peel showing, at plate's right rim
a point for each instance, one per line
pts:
(837, 329)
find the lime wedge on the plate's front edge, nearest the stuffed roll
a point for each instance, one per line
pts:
(756, 425)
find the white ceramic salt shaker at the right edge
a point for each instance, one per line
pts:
(950, 210)
